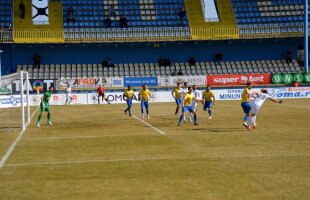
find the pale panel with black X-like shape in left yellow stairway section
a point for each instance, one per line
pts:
(40, 15)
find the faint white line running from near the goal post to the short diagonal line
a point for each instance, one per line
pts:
(83, 136)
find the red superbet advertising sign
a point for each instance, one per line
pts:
(238, 79)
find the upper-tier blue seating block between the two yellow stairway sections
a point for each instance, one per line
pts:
(139, 13)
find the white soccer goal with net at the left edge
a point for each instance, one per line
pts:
(15, 107)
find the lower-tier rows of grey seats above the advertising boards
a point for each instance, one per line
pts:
(153, 69)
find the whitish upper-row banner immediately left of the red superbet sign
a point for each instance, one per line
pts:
(192, 80)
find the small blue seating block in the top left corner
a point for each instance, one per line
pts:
(6, 13)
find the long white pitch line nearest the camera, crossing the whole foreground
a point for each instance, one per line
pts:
(156, 158)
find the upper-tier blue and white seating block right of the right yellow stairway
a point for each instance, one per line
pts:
(249, 12)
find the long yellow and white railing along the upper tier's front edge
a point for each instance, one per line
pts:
(152, 34)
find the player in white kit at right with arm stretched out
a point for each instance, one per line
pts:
(259, 99)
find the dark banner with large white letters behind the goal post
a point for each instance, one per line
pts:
(35, 84)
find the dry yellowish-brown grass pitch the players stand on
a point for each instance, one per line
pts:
(96, 152)
